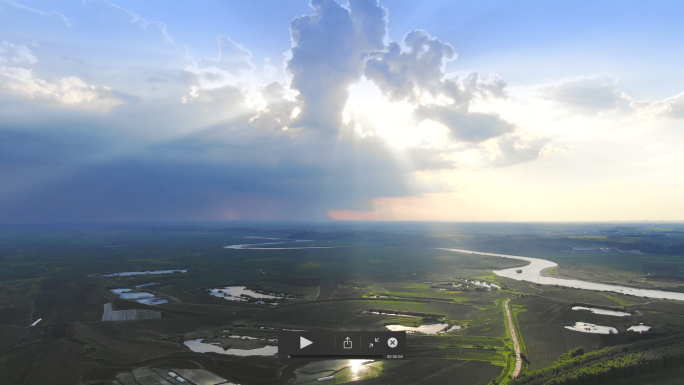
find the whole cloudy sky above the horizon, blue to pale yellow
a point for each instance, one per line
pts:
(351, 110)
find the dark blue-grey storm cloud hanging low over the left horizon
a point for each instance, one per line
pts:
(212, 174)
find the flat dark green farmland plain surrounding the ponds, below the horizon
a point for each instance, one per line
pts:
(54, 274)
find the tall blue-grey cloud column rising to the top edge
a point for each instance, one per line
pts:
(328, 55)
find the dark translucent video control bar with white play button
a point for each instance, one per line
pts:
(367, 345)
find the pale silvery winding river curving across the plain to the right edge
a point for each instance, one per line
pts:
(533, 273)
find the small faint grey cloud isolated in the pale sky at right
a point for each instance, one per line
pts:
(587, 96)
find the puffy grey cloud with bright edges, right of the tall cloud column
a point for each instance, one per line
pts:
(414, 72)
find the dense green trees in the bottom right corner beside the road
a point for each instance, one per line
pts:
(601, 366)
